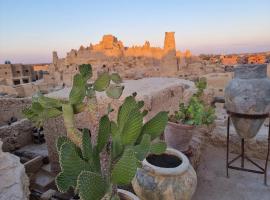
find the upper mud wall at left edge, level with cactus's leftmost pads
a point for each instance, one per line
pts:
(12, 107)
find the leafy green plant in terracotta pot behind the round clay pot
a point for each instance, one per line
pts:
(178, 133)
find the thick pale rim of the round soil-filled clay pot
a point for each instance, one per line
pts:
(168, 171)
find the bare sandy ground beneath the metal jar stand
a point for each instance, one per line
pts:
(214, 185)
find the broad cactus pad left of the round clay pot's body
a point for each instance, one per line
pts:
(125, 169)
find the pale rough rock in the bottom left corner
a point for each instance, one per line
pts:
(14, 183)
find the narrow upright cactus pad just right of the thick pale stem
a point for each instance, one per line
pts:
(87, 151)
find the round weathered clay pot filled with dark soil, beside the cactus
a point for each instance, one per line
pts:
(168, 176)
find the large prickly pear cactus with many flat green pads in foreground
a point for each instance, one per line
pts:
(126, 141)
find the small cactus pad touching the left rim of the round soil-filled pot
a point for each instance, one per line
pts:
(142, 149)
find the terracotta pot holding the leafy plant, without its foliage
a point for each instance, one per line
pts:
(178, 136)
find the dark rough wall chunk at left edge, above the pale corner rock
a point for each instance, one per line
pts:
(16, 135)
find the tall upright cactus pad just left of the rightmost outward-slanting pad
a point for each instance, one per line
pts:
(132, 128)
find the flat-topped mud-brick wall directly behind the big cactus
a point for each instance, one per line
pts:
(159, 94)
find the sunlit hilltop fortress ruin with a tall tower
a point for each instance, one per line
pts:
(130, 62)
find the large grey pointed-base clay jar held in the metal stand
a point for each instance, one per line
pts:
(248, 93)
